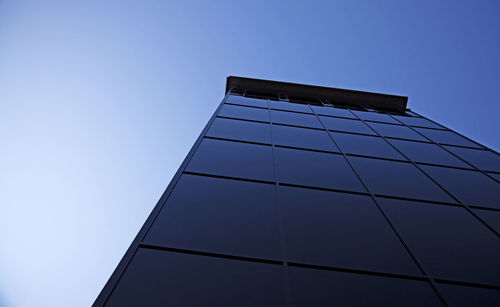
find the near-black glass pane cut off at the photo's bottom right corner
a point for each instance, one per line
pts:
(458, 295)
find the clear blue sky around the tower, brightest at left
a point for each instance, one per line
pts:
(101, 100)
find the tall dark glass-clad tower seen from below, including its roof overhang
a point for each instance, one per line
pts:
(302, 195)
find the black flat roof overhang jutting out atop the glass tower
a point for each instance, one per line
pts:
(304, 91)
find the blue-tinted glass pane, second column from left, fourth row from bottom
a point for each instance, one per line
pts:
(303, 138)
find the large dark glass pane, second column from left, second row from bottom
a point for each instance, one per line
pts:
(340, 230)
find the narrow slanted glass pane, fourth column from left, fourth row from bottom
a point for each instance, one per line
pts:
(427, 153)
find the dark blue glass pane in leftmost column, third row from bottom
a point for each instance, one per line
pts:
(233, 159)
